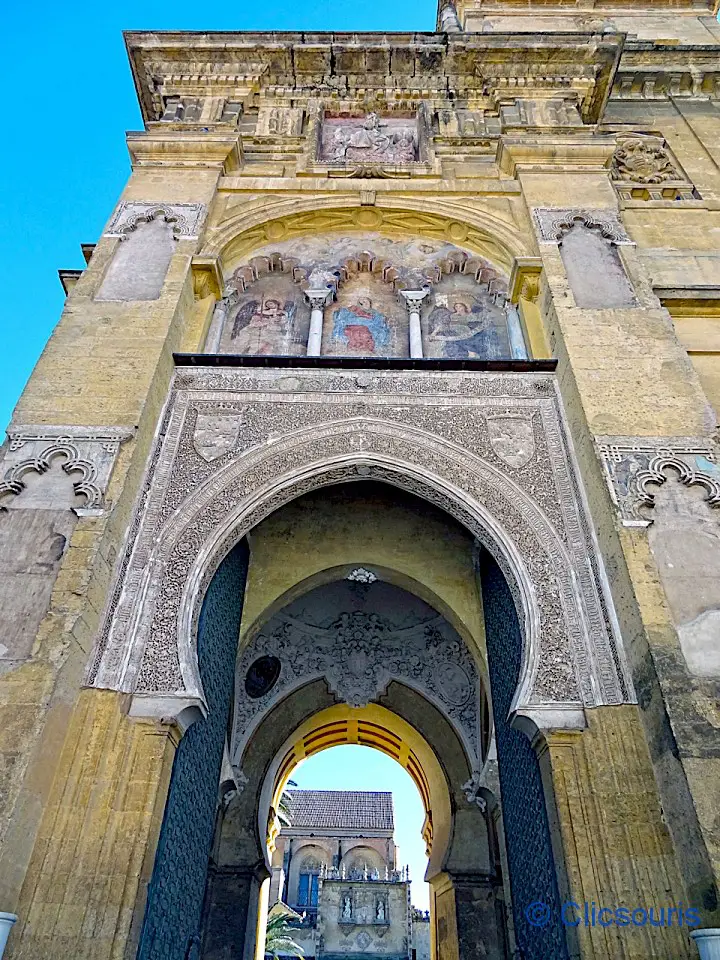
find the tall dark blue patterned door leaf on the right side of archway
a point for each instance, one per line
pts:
(527, 832)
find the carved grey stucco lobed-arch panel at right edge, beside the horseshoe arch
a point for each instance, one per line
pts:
(636, 466)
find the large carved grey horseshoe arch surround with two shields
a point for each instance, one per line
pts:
(426, 433)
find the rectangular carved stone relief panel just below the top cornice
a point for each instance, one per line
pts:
(370, 138)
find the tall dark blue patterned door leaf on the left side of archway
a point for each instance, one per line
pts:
(175, 895)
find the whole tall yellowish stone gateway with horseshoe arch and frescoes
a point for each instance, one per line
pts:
(385, 412)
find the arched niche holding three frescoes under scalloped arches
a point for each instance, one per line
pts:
(354, 283)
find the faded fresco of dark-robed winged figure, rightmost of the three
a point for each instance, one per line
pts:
(463, 322)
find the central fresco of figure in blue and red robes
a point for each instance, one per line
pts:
(366, 321)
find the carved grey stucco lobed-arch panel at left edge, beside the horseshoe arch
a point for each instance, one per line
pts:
(85, 454)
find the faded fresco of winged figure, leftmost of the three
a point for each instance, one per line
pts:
(270, 318)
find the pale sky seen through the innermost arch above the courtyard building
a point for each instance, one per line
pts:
(362, 768)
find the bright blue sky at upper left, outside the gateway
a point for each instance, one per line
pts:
(64, 159)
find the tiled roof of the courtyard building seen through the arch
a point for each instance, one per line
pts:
(341, 809)
